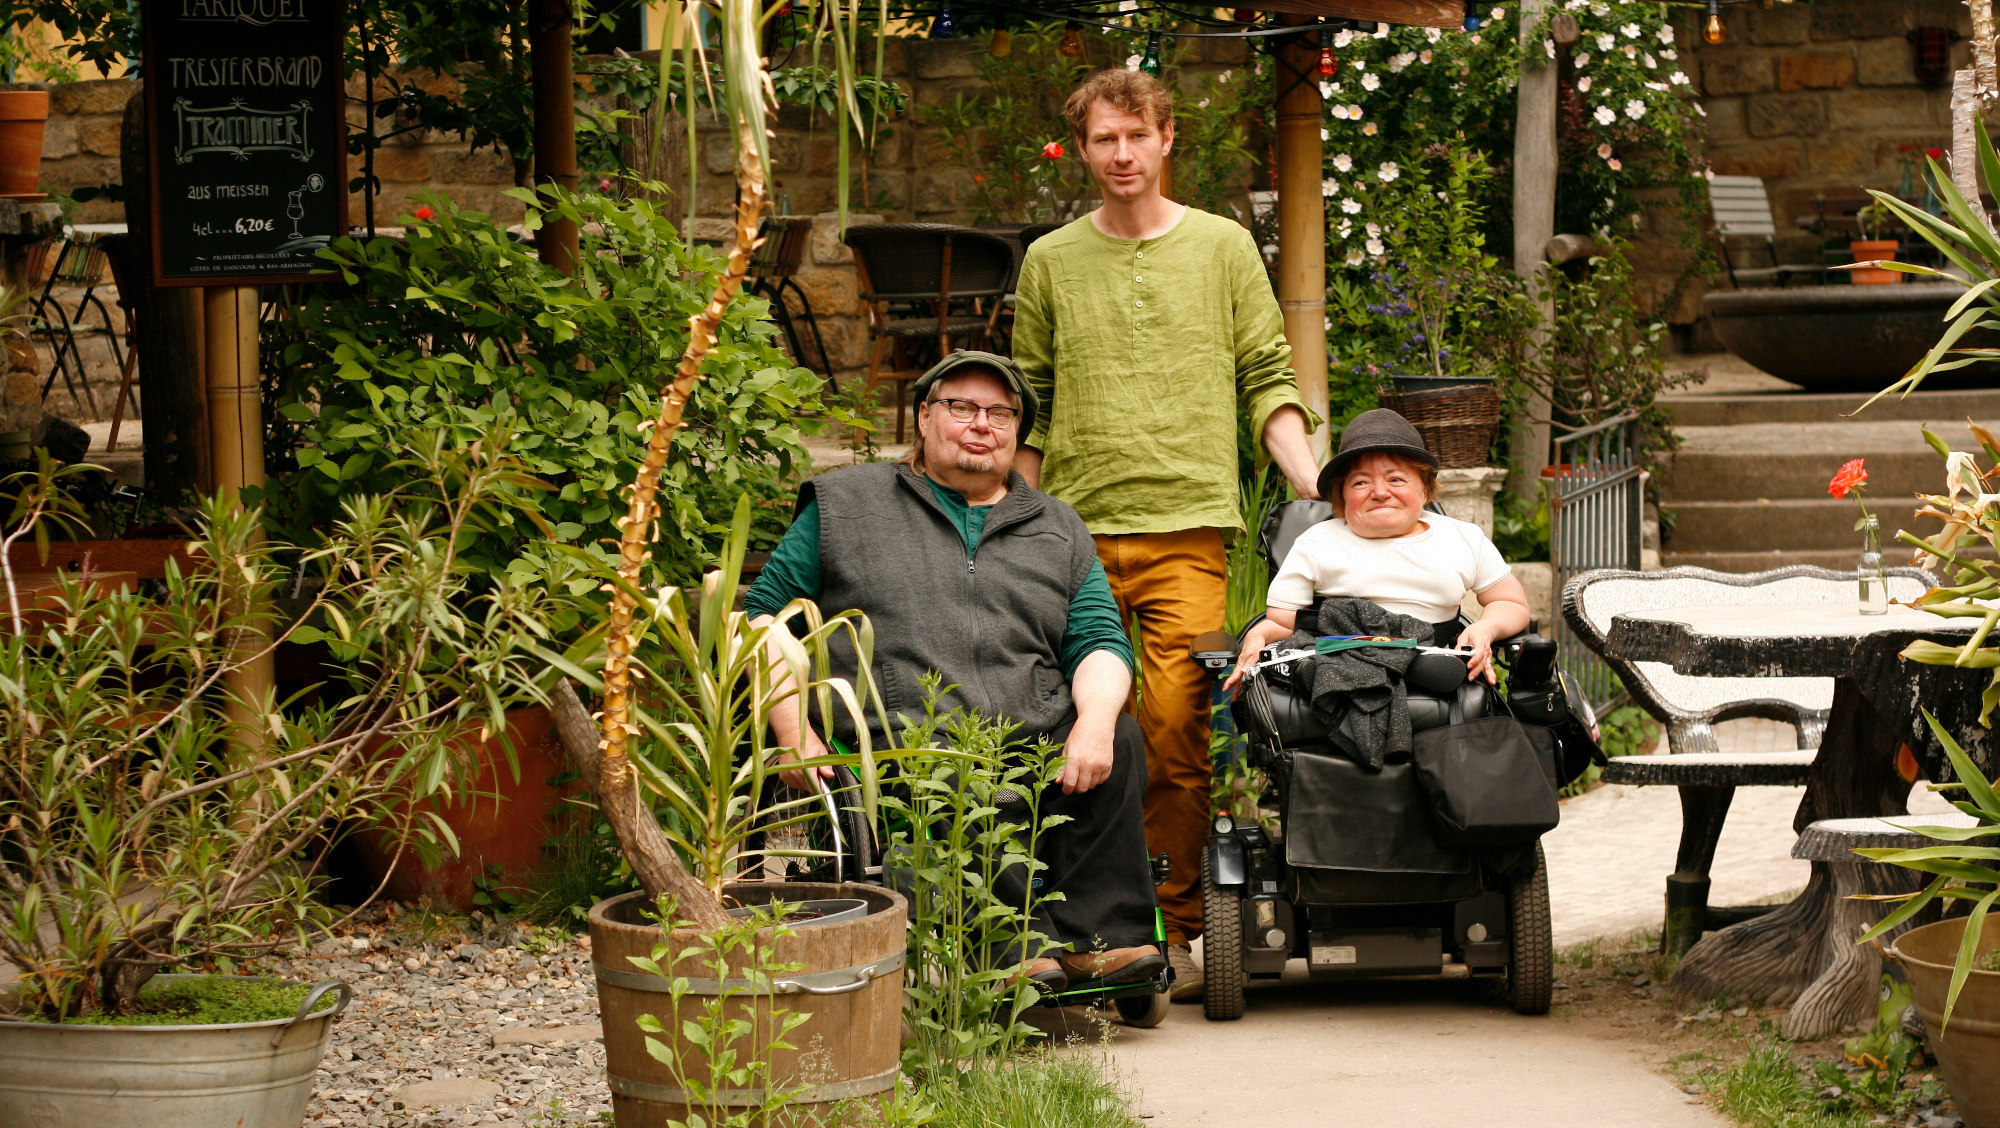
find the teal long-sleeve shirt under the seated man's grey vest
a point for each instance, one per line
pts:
(795, 575)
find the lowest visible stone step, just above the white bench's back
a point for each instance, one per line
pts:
(1781, 525)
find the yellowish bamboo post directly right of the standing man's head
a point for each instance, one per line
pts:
(1303, 221)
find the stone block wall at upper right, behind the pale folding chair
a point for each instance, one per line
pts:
(1821, 99)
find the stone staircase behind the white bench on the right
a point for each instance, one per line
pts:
(1747, 491)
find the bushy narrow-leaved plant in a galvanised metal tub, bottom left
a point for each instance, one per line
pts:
(161, 815)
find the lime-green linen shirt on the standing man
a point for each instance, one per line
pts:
(1145, 353)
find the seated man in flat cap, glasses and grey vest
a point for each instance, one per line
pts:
(967, 571)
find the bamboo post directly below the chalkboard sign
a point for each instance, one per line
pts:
(237, 435)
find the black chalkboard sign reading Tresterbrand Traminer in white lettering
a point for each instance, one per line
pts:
(247, 135)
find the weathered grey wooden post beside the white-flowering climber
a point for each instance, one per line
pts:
(1535, 225)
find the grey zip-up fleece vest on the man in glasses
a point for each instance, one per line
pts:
(991, 623)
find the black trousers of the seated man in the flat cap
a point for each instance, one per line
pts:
(1097, 861)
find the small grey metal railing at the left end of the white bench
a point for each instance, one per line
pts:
(1595, 513)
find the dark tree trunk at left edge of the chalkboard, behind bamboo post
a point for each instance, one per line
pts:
(173, 393)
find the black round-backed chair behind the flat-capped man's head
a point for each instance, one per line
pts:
(929, 289)
